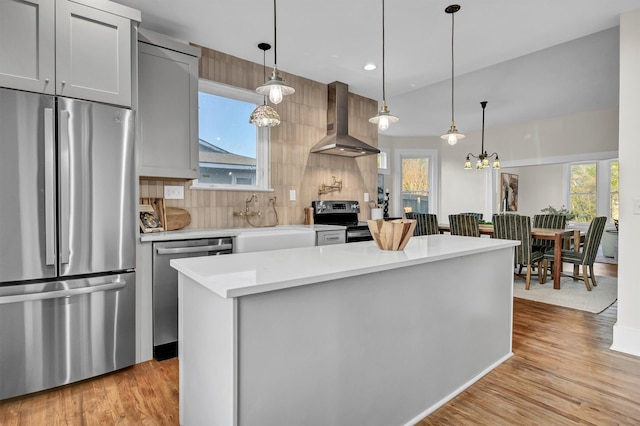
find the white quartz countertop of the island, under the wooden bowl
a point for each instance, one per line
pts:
(252, 273)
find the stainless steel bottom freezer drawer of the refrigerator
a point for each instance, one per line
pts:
(60, 332)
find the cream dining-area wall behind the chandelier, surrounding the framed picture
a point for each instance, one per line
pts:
(541, 142)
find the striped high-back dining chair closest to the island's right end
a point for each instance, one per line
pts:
(517, 227)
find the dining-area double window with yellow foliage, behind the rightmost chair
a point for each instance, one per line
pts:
(593, 189)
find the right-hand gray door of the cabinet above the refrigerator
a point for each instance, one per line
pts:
(93, 54)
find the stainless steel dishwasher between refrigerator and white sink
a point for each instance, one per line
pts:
(165, 287)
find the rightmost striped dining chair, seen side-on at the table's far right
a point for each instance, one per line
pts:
(587, 254)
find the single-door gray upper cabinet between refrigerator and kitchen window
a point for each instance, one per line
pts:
(168, 107)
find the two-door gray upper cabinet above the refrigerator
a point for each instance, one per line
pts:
(78, 49)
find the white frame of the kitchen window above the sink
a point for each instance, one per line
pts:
(263, 138)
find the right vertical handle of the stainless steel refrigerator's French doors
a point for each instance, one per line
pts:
(65, 187)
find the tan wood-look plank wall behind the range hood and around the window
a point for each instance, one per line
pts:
(303, 123)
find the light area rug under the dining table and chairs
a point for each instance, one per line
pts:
(572, 294)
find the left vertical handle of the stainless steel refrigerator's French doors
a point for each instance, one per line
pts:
(49, 188)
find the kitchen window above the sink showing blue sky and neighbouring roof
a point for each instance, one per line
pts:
(234, 154)
